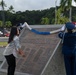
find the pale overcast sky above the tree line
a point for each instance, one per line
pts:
(22, 5)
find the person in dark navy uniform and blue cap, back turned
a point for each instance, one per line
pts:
(68, 48)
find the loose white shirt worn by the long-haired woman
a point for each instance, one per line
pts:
(12, 47)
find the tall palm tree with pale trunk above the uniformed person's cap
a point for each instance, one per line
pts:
(68, 5)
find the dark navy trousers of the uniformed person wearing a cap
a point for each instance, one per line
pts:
(70, 65)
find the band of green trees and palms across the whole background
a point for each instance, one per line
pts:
(10, 17)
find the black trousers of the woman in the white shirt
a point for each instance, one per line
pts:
(11, 61)
